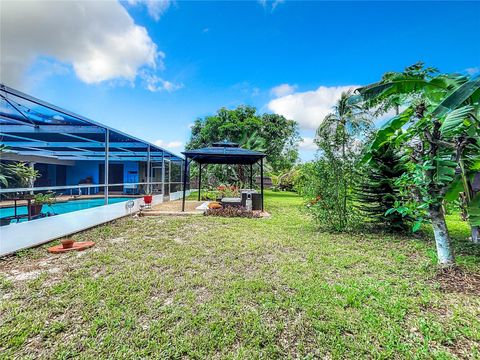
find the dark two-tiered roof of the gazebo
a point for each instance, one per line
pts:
(224, 153)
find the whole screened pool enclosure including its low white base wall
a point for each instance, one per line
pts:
(37, 132)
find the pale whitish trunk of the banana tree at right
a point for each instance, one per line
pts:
(442, 238)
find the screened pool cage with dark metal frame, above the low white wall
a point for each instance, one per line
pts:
(34, 131)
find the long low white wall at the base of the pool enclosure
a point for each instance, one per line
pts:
(17, 236)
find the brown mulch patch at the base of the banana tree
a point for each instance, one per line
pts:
(457, 280)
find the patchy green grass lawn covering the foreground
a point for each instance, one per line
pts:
(206, 287)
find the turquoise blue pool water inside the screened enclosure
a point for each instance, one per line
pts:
(64, 207)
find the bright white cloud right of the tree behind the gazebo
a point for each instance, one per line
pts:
(308, 108)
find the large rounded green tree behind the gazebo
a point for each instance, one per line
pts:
(279, 136)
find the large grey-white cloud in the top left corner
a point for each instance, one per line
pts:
(98, 39)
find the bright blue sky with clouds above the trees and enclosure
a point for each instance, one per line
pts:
(150, 68)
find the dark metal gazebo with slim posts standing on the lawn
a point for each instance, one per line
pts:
(226, 153)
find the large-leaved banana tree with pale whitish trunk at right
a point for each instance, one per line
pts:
(439, 129)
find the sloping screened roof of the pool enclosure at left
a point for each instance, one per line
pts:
(32, 127)
